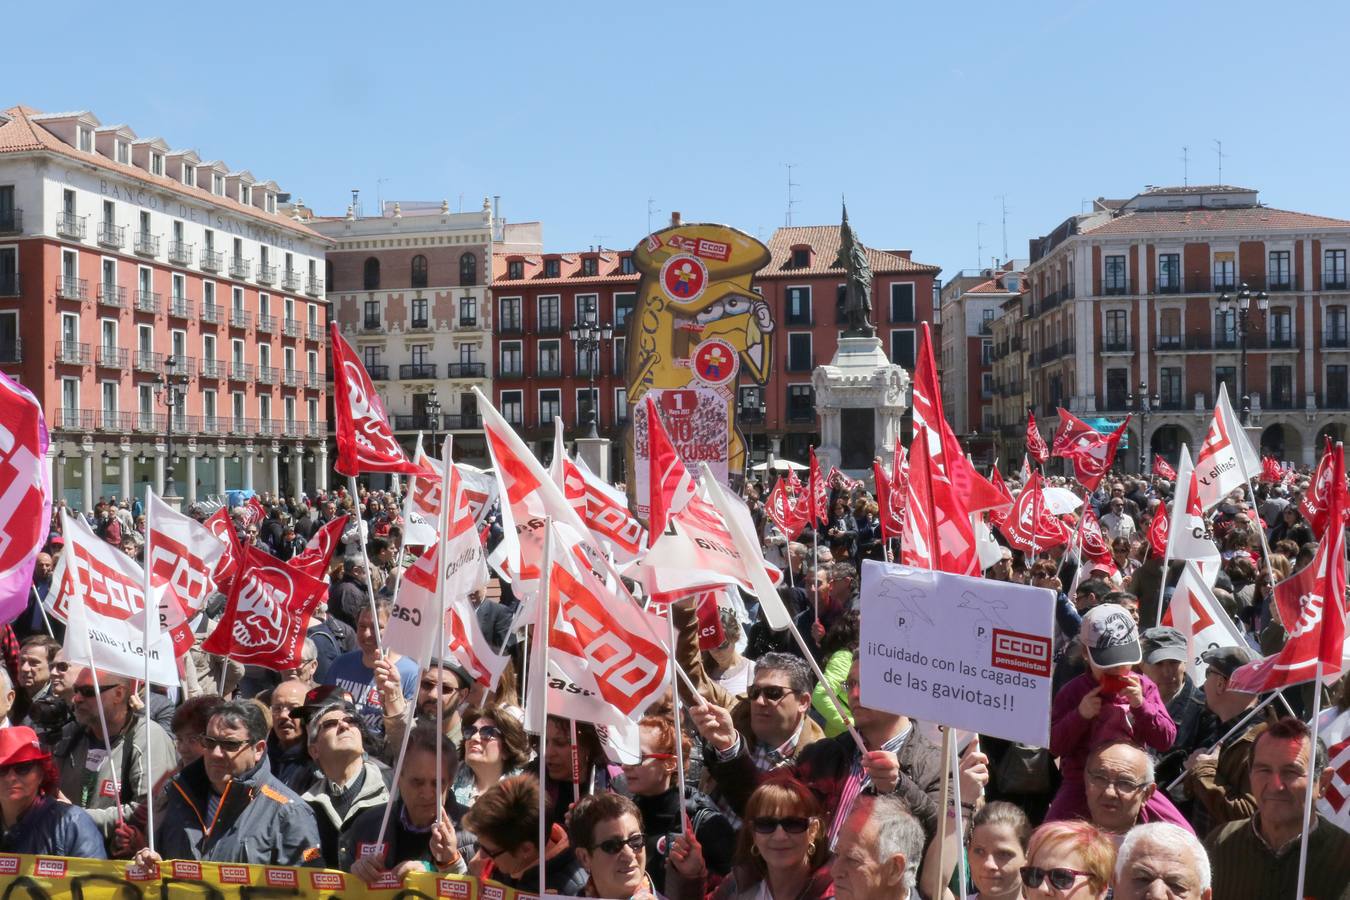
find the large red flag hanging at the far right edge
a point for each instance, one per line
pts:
(1313, 608)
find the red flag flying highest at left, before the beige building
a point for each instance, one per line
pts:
(365, 441)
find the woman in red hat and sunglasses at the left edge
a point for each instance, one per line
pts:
(32, 817)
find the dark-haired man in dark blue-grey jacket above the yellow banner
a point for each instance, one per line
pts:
(253, 817)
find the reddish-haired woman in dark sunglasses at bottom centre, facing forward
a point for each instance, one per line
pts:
(782, 852)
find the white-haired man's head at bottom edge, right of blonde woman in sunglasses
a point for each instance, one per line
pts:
(1162, 860)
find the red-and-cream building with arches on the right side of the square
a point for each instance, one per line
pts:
(1127, 315)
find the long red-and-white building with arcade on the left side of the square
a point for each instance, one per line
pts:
(125, 265)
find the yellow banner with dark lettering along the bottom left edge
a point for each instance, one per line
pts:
(61, 879)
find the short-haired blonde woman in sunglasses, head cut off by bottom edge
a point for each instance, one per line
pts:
(1069, 862)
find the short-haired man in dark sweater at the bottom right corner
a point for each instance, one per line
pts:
(1258, 859)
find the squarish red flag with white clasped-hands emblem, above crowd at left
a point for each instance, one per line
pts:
(268, 613)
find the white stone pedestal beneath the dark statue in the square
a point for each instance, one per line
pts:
(861, 399)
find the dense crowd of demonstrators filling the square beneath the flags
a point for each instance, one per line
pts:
(1135, 798)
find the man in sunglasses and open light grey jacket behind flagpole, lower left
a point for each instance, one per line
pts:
(106, 779)
